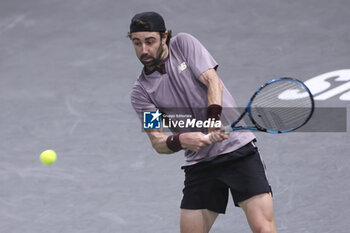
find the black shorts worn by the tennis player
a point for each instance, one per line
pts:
(207, 184)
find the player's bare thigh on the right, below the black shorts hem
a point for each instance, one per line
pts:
(259, 212)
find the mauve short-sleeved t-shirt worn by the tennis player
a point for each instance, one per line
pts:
(178, 92)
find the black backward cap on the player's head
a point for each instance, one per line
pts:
(147, 21)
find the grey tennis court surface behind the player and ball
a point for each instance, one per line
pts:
(66, 70)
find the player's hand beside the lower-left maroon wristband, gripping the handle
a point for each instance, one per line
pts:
(194, 141)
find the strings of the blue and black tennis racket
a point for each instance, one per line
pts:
(273, 113)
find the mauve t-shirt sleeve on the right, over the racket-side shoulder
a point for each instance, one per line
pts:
(197, 56)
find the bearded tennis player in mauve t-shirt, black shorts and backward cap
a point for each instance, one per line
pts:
(179, 73)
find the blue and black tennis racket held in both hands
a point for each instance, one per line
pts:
(280, 106)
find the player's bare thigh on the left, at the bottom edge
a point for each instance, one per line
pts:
(196, 221)
